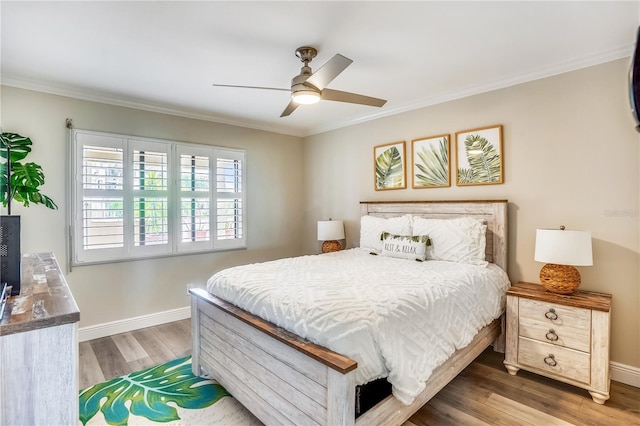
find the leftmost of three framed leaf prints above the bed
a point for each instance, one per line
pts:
(389, 166)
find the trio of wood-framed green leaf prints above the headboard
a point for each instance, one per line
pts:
(479, 160)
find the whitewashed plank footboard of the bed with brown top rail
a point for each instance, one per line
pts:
(280, 377)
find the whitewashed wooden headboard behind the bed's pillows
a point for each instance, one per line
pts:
(491, 212)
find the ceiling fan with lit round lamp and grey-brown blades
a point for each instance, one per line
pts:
(309, 87)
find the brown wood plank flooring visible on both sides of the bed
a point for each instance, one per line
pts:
(483, 394)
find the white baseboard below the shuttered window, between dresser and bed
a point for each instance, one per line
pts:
(122, 326)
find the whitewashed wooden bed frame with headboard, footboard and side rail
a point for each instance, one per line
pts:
(284, 379)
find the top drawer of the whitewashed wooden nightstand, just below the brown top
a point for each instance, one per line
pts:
(557, 315)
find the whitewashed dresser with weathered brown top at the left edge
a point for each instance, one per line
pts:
(39, 348)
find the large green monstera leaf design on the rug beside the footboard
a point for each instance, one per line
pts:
(148, 392)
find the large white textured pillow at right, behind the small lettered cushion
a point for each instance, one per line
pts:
(461, 240)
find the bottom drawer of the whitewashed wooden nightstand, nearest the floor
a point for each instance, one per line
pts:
(560, 362)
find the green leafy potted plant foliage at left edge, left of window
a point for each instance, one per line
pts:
(26, 178)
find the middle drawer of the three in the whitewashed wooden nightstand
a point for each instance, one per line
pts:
(557, 334)
